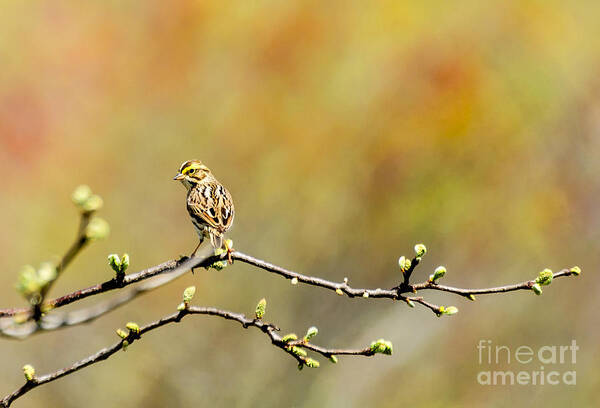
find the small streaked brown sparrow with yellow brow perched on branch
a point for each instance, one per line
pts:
(208, 202)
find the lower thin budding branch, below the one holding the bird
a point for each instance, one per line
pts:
(105, 353)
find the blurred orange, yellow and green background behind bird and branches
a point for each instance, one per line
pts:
(347, 132)
